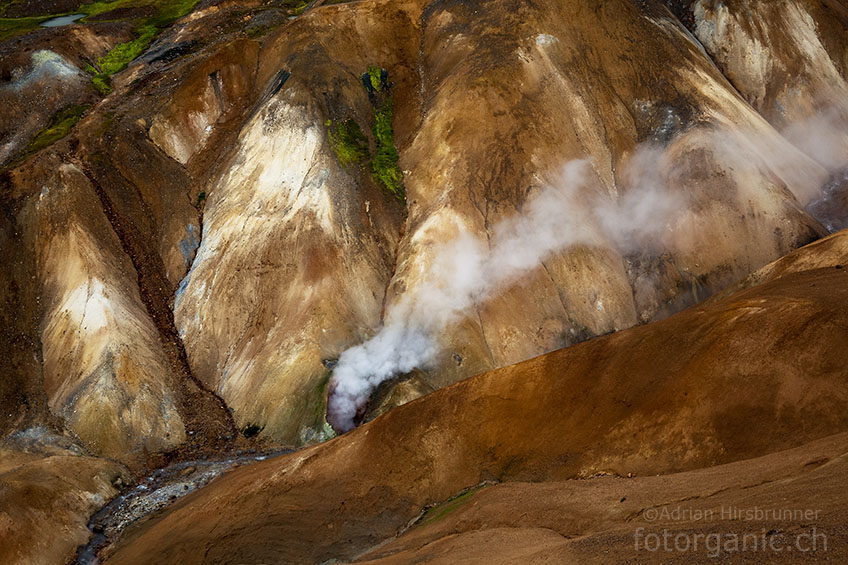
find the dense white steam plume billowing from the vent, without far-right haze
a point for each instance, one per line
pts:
(466, 271)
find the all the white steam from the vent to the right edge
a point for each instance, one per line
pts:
(466, 270)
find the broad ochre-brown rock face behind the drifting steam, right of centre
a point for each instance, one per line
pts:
(602, 102)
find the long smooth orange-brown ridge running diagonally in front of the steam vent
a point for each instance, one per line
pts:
(758, 372)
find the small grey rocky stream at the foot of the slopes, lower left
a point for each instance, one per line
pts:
(155, 492)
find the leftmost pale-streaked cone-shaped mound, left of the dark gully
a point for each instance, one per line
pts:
(105, 372)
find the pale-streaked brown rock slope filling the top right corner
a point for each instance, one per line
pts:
(788, 59)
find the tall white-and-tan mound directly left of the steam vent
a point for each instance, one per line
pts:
(297, 248)
